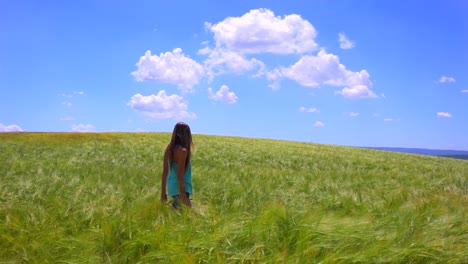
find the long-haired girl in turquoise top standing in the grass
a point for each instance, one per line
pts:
(177, 167)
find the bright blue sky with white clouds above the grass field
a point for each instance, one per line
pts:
(357, 73)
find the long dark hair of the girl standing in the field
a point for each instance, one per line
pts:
(181, 136)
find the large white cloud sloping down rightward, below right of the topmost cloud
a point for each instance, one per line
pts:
(326, 69)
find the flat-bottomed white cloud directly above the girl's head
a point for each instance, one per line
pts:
(161, 106)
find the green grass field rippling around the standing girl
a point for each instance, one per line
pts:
(94, 198)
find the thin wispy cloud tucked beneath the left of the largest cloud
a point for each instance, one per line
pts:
(222, 61)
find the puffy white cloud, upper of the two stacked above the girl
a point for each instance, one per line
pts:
(170, 67)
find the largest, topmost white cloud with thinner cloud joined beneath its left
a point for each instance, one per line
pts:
(258, 31)
